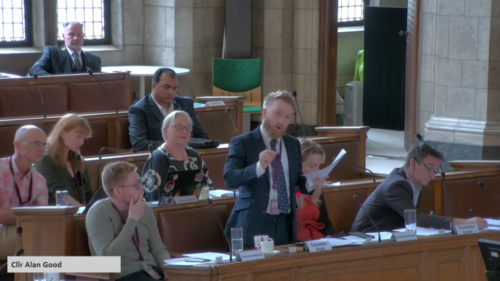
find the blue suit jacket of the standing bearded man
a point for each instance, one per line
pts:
(249, 211)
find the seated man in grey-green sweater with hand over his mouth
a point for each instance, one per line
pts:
(124, 225)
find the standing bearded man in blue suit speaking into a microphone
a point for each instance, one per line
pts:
(266, 166)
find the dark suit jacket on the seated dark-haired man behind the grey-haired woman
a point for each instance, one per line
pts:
(145, 120)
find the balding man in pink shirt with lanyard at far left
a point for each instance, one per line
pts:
(20, 185)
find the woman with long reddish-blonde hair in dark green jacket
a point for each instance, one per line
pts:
(60, 166)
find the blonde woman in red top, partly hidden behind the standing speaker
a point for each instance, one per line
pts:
(313, 221)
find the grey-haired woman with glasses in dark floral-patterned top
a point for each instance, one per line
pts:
(173, 155)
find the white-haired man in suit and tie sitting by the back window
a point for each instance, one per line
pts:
(69, 58)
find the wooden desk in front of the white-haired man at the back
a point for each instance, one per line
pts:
(78, 93)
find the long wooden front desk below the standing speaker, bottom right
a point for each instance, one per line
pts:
(444, 258)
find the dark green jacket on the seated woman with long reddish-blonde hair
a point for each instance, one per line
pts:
(58, 178)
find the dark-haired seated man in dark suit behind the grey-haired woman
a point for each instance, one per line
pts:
(146, 116)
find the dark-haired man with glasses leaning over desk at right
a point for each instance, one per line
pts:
(401, 191)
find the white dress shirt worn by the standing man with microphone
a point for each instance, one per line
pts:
(273, 194)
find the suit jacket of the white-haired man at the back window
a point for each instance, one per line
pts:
(56, 60)
